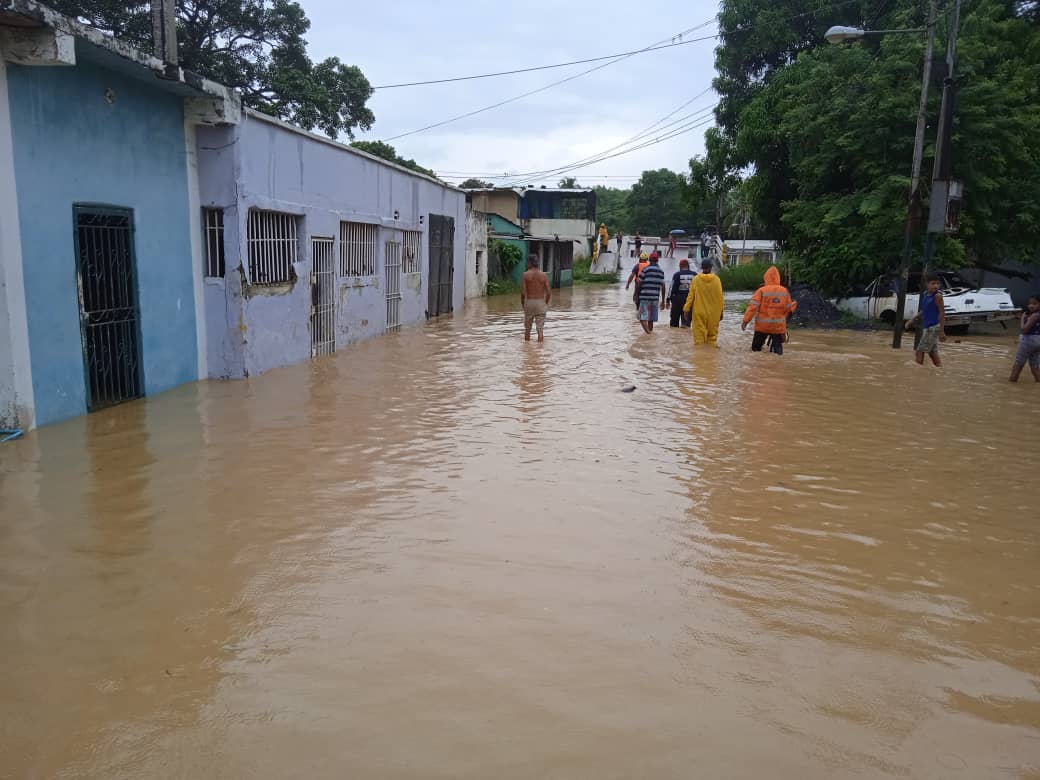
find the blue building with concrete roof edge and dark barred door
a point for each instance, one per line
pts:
(100, 237)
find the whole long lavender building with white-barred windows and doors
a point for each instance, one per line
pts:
(310, 246)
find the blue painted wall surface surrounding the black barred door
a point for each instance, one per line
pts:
(72, 146)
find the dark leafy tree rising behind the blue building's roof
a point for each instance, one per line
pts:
(256, 47)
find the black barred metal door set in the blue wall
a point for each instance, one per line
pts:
(110, 322)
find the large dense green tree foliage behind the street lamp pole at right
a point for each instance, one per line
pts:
(829, 132)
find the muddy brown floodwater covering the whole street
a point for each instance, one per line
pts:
(449, 554)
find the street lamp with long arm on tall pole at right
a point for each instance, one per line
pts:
(839, 35)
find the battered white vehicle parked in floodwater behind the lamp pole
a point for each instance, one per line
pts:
(964, 303)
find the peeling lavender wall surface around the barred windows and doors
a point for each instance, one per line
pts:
(266, 165)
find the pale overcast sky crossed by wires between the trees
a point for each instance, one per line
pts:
(402, 41)
